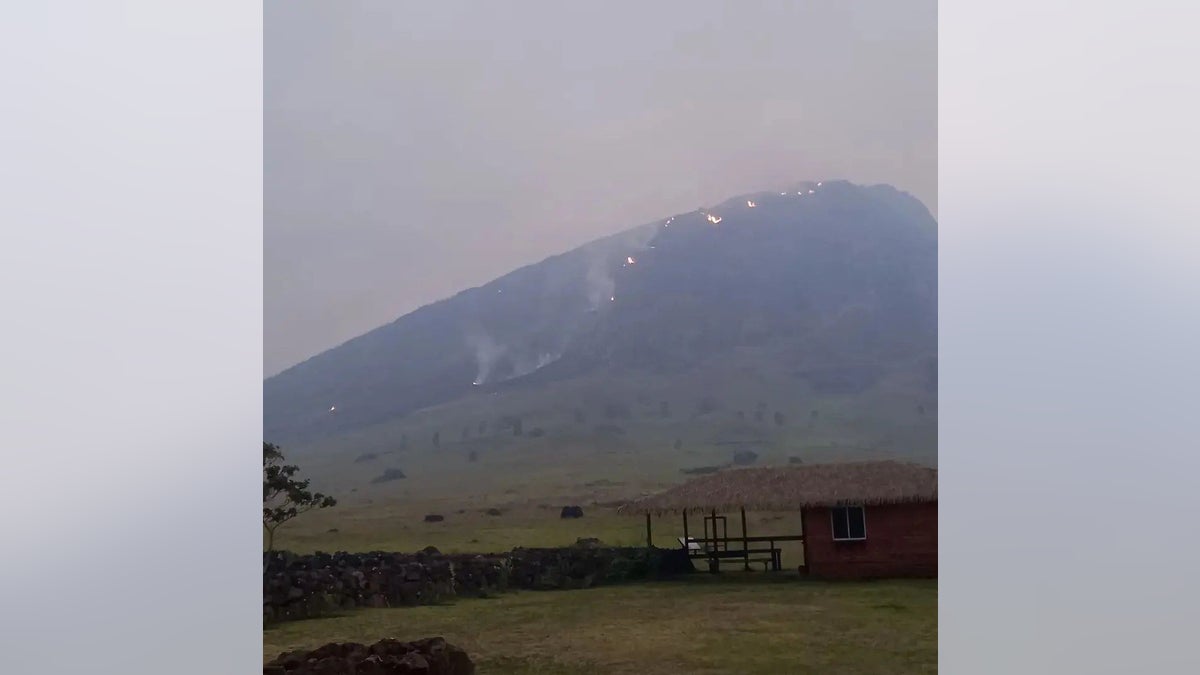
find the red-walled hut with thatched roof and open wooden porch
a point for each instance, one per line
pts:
(856, 519)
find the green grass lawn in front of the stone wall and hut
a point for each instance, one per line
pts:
(734, 624)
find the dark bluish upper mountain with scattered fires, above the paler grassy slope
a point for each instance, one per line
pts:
(849, 272)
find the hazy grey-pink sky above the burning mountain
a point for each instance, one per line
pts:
(416, 150)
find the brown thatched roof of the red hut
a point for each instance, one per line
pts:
(795, 487)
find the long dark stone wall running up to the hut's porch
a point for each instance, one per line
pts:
(313, 586)
